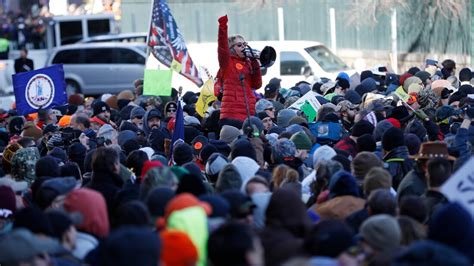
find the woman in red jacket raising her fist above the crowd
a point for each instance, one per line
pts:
(236, 79)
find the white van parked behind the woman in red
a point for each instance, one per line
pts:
(296, 61)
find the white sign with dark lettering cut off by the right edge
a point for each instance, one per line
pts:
(460, 186)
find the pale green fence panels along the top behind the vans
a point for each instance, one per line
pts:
(309, 20)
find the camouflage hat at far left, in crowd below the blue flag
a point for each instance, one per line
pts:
(23, 164)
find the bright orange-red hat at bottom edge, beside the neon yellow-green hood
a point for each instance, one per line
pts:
(178, 249)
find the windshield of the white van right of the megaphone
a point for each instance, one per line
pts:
(328, 61)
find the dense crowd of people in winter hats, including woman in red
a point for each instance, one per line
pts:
(99, 182)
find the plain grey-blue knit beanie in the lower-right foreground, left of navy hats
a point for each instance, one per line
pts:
(381, 232)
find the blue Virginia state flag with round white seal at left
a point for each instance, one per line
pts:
(39, 89)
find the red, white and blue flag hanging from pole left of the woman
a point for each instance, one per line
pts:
(167, 43)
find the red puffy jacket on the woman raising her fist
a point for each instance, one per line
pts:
(231, 67)
